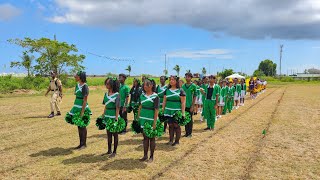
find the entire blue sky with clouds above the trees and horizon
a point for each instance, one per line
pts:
(193, 34)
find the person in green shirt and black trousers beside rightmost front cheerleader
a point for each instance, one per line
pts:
(190, 90)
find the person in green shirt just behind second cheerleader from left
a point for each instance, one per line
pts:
(124, 97)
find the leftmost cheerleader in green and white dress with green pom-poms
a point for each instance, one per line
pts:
(80, 113)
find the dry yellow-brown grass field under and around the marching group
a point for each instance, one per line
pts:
(34, 147)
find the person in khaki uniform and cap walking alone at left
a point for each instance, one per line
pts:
(55, 87)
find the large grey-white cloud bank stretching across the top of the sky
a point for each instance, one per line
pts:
(251, 19)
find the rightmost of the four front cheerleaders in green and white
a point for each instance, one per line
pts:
(174, 100)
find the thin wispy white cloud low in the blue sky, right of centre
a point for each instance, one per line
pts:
(199, 54)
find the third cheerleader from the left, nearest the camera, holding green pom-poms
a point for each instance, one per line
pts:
(148, 118)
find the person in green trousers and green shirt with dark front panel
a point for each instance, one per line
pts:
(211, 94)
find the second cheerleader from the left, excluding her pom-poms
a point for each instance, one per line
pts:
(111, 102)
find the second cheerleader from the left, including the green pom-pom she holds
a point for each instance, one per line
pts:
(111, 101)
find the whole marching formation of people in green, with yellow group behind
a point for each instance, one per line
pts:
(156, 108)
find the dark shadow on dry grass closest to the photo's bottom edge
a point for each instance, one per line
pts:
(124, 164)
